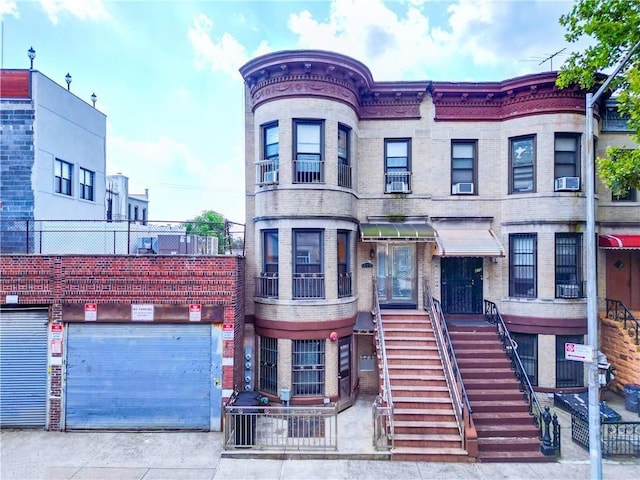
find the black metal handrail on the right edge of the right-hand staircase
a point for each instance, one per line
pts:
(492, 315)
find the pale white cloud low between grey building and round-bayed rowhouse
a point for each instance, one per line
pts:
(181, 185)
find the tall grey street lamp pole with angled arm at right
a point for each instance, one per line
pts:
(595, 451)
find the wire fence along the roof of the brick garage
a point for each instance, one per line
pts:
(119, 237)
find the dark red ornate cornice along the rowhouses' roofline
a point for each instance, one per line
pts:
(329, 75)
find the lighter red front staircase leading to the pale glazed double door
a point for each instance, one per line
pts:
(425, 427)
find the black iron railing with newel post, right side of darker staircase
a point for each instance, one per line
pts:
(548, 426)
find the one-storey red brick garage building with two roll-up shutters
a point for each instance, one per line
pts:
(73, 293)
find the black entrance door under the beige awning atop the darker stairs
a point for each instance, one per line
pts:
(461, 285)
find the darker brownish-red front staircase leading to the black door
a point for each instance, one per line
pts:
(506, 429)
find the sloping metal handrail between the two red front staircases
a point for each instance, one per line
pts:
(450, 363)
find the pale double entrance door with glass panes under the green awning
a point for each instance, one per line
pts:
(396, 274)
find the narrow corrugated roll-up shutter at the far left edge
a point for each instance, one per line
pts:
(23, 368)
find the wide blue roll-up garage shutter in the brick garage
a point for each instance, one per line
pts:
(138, 376)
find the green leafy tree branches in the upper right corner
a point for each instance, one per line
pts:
(612, 29)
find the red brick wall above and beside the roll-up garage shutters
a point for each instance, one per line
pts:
(113, 281)
